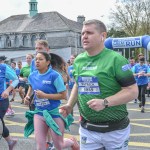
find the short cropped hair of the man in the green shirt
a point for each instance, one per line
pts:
(99, 24)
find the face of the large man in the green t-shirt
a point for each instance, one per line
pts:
(91, 37)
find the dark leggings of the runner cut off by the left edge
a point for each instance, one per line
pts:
(3, 108)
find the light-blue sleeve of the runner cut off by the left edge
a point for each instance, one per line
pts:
(11, 75)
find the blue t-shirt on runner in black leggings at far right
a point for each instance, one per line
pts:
(142, 80)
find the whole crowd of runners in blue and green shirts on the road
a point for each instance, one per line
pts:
(100, 81)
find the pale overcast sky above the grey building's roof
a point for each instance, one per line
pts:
(95, 9)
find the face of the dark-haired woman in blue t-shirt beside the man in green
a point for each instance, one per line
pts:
(41, 62)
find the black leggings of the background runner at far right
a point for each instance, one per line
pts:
(141, 96)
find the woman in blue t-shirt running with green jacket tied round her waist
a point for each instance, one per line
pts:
(49, 89)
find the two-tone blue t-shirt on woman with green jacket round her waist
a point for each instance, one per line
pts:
(50, 82)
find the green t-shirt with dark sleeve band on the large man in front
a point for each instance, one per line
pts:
(99, 77)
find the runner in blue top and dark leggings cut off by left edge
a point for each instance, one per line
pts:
(6, 72)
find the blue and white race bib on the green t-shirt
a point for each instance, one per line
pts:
(88, 85)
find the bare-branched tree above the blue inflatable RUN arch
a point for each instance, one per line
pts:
(132, 16)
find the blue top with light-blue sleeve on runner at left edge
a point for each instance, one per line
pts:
(7, 73)
